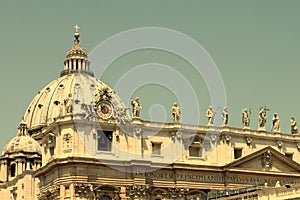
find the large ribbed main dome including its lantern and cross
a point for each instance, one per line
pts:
(75, 92)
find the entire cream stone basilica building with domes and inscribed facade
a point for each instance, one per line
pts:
(78, 141)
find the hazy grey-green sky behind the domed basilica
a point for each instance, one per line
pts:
(254, 44)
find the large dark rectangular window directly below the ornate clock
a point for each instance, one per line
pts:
(104, 140)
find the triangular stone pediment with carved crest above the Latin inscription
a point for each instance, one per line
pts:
(266, 159)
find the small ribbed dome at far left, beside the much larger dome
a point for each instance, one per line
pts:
(23, 144)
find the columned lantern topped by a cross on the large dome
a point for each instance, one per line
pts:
(76, 59)
